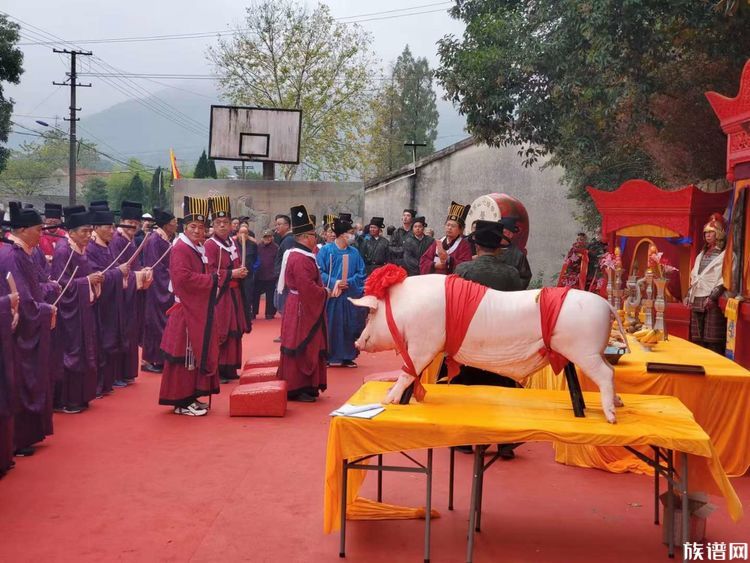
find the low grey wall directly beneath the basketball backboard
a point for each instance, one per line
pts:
(261, 200)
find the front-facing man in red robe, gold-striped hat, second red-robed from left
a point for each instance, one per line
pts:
(232, 320)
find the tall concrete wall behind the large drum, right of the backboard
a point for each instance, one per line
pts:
(466, 171)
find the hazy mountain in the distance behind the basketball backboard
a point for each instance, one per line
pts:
(178, 118)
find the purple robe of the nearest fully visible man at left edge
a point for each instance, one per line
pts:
(33, 419)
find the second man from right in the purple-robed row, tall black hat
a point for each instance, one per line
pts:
(123, 247)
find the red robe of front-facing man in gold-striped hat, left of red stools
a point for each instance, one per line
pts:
(231, 319)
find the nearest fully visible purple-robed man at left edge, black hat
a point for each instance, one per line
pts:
(31, 339)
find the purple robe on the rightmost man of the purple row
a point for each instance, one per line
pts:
(158, 298)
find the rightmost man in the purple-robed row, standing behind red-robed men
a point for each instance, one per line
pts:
(159, 297)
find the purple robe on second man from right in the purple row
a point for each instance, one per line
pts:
(133, 304)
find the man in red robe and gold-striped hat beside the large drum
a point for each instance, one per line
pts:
(443, 255)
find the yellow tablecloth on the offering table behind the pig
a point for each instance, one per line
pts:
(720, 402)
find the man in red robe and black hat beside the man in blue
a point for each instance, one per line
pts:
(303, 326)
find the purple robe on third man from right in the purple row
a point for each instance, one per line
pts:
(109, 313)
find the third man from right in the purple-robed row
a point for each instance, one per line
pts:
(109, 308)
